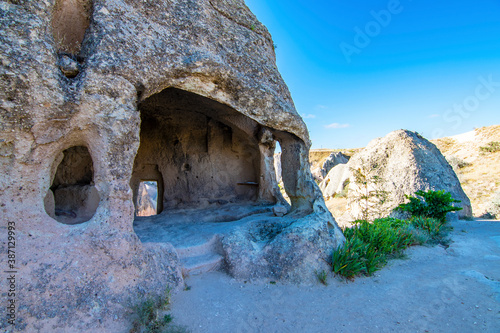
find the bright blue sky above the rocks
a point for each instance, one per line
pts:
(360, 69)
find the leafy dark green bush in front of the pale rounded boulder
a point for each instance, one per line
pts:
(432, 204)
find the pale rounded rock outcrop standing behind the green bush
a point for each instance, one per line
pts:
(405, 162)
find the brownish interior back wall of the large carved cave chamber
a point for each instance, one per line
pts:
(197, 150)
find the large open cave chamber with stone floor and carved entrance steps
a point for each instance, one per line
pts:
(214, 170)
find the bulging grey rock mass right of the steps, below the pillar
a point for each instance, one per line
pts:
(278, 251)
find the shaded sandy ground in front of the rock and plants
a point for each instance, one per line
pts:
(433, 290)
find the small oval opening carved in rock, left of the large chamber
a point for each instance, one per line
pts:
(72, 197)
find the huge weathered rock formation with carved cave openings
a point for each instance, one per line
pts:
(202, 70)
